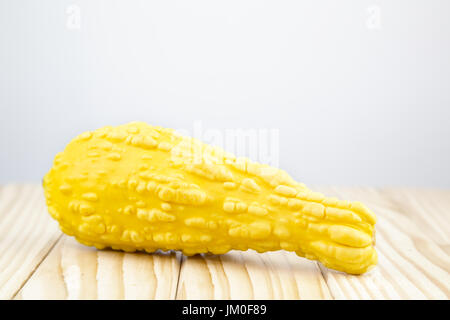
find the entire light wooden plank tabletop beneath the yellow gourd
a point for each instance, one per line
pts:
(38, 262)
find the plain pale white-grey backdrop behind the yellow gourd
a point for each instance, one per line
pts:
(359, 90)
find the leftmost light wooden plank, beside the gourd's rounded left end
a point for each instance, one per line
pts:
(27, 233)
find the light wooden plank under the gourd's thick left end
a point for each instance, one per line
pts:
(74, 271)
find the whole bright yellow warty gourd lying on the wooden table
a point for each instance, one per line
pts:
(139, 187)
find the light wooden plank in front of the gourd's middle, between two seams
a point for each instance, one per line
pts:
(250, 275)
